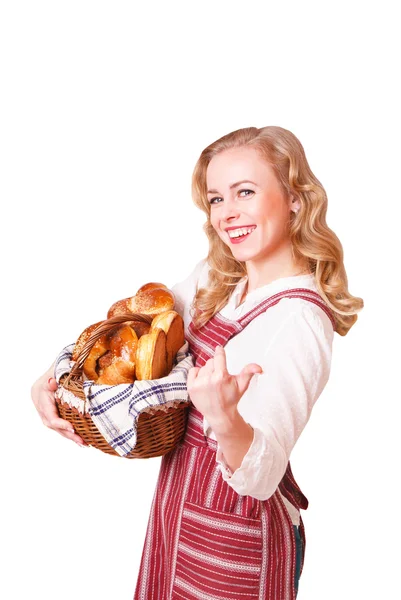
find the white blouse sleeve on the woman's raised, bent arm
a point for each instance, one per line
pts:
(278, 402)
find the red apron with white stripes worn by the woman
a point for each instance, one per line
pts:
(204, 541)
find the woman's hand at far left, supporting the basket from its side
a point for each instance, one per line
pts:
(42, 393)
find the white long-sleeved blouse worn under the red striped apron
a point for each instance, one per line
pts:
(292, 342)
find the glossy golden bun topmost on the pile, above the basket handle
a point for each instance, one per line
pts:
(151, 299)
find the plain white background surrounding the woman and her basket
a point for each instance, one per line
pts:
(105, 108)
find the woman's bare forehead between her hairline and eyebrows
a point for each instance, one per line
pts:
(234, 165)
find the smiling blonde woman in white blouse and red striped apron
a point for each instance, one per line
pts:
(260, 314)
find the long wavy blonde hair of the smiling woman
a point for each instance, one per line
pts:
(311, 238)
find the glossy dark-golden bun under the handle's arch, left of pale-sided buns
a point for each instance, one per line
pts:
(119, 346)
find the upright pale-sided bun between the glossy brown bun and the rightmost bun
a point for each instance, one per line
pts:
(151, 356)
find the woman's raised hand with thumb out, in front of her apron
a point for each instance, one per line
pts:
(216, 393)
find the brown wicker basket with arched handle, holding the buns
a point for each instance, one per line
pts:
(159, 429)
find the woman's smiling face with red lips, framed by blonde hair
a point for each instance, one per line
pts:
(248, 208)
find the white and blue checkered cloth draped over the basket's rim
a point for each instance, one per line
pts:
(115, 409)
